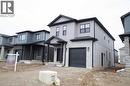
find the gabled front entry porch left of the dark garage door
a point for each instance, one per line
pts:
(59, 46)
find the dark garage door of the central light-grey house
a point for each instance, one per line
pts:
(77, 57)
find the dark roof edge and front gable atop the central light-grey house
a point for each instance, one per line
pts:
(78, 21)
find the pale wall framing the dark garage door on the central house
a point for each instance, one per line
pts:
(80, 44)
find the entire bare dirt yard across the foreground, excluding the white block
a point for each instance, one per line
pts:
(27, 75)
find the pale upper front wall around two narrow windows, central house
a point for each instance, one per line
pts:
(70, 34)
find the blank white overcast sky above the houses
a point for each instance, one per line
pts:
(36, 14)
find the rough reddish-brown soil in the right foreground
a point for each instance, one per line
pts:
(106, 78)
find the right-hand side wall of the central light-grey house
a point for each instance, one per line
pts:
(105, 46)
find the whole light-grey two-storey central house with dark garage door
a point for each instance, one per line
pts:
(81, 43)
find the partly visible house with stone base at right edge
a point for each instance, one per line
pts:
(125, 51)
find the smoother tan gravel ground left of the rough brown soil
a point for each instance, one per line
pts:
(27, 75)
